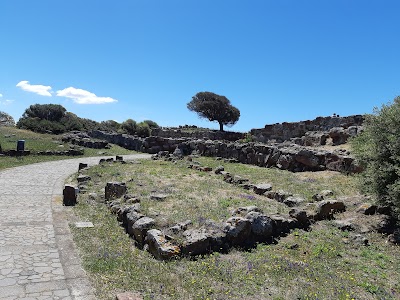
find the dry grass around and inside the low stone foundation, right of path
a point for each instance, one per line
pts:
(321, 263)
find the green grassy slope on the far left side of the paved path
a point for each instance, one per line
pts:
(41, 142)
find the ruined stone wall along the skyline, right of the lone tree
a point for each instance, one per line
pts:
(286, 131)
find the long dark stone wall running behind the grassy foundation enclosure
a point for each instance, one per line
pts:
(294, 158)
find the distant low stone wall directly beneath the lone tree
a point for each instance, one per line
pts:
(197, 134)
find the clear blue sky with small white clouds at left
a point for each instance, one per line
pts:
(286, 60)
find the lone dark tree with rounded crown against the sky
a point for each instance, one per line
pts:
(214, 108)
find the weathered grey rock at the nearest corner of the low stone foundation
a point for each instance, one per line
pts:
(159, 246)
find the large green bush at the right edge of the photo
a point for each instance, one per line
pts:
(377, 149)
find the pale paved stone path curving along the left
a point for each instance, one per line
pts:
(38, 259)
